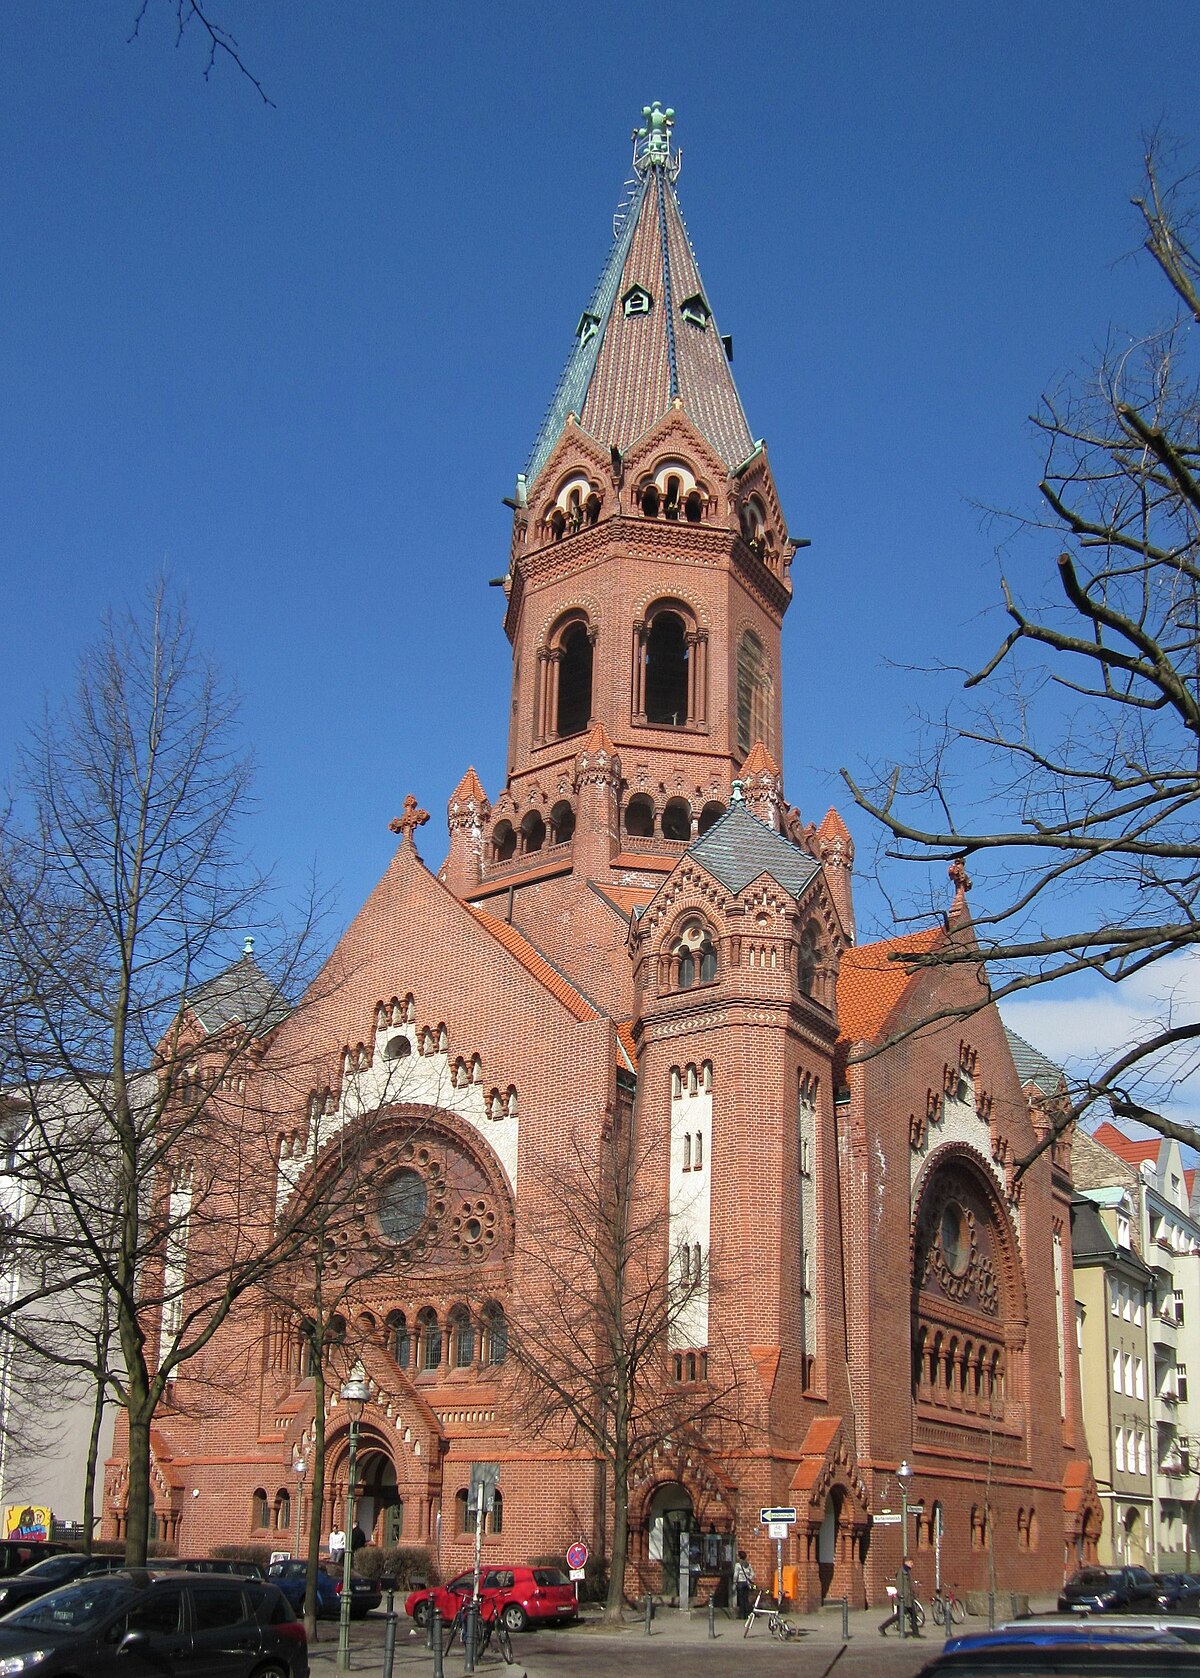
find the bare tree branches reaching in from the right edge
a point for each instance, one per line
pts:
(1072, 781)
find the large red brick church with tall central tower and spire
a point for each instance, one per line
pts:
(639, 929)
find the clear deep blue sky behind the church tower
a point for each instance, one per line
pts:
(296, 355)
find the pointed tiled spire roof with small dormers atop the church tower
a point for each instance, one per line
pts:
(629, 368)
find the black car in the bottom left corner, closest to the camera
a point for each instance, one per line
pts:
(142, 1623)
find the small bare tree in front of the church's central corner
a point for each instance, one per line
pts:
(602, 1306)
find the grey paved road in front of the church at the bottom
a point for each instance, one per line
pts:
(677, 1649)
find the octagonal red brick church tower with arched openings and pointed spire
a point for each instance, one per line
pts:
(647, 588)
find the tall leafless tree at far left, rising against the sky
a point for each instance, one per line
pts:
(122, 889)
